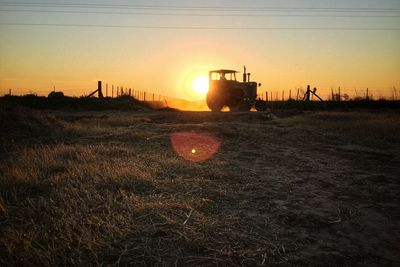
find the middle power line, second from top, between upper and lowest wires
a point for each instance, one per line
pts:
(200, 15)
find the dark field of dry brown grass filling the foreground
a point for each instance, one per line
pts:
(145, 188)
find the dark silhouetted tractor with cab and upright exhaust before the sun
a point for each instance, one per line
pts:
(225, 91)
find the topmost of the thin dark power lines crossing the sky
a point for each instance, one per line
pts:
(199, 8)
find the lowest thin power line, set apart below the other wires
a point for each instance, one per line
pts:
(198, 27)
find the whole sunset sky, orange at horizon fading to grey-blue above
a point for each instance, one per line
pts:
(162, 46)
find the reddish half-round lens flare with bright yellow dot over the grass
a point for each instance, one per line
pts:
(195, 147)
